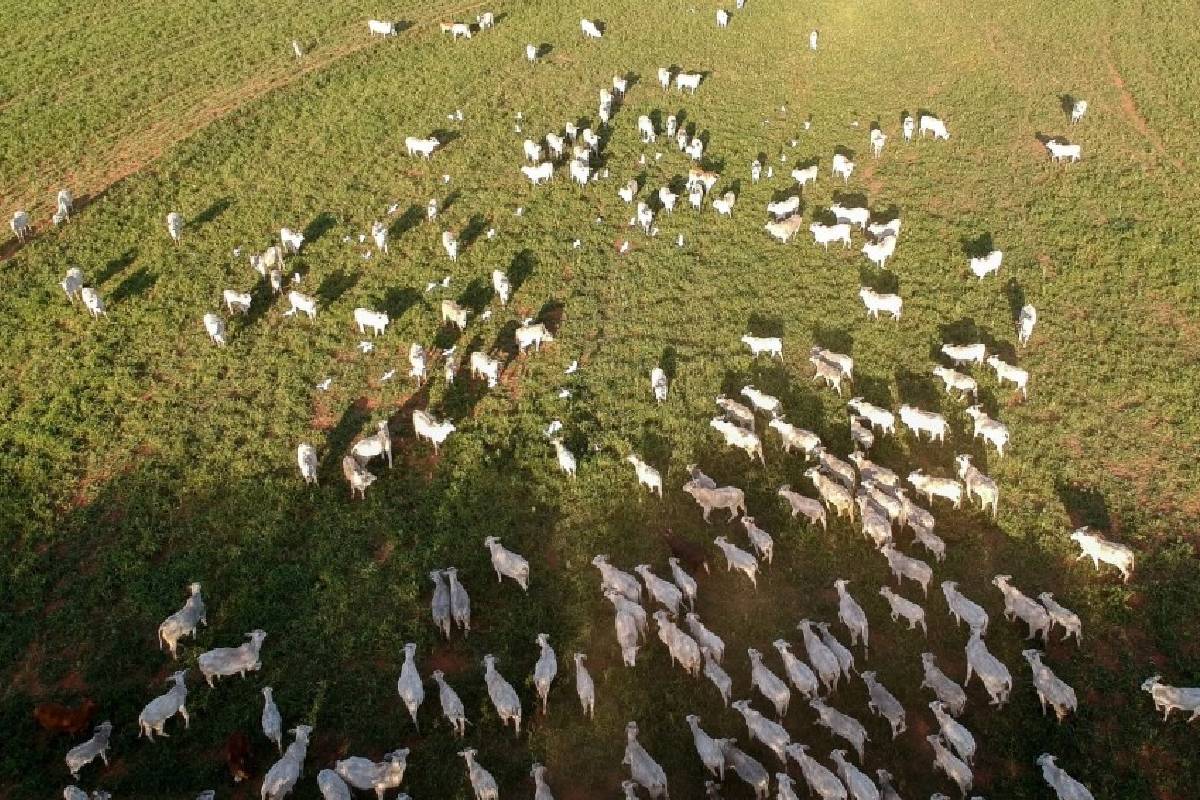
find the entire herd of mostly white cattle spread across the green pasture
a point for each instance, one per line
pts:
(856, 489)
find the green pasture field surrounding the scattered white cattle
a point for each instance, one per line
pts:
(137, 458)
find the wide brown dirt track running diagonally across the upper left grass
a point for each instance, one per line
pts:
(134, 153)
